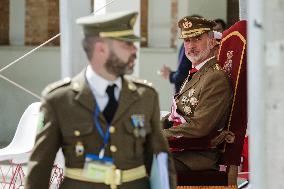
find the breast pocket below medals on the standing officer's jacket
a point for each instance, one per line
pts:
(136, 138)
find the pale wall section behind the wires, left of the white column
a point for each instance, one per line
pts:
(34, 73)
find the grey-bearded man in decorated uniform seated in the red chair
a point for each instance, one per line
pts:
(201, 107)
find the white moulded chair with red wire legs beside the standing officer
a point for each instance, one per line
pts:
(17, 152)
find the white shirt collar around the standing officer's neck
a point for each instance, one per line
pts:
(98, 83)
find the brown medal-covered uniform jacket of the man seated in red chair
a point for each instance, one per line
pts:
(204, 102)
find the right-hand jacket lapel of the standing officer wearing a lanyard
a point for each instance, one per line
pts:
(128, 96)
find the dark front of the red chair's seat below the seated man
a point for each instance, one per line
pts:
(202, 178)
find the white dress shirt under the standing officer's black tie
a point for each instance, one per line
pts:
(99, 85)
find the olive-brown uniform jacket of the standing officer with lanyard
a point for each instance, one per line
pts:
(68, 108)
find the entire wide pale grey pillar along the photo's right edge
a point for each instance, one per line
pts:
(266, 99)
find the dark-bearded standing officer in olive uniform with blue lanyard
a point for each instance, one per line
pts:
(107, 125)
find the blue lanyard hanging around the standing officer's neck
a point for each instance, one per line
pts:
(105, 136)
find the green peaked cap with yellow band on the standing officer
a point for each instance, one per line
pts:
(118, 25)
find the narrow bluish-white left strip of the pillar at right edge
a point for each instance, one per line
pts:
(256, 96)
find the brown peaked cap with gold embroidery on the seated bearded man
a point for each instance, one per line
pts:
(193, 26)
